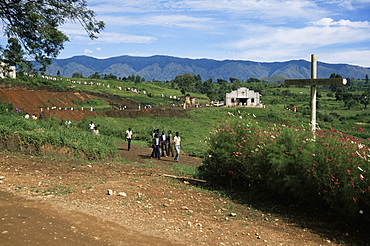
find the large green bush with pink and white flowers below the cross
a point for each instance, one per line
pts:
(326, 166)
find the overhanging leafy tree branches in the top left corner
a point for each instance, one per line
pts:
(35, 23)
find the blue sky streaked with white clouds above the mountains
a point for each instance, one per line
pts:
(338, 31)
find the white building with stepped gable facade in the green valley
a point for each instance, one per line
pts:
(243, 97)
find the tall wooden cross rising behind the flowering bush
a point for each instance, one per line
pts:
(314, 82)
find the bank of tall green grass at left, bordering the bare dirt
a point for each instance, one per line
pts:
(38, 133)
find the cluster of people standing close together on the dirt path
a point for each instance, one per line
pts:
(165, 143)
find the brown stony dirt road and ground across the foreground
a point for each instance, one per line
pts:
(46, 201)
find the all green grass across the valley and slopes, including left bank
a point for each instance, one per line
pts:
(194, 129)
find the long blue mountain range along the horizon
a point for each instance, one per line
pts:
(166, 68)
